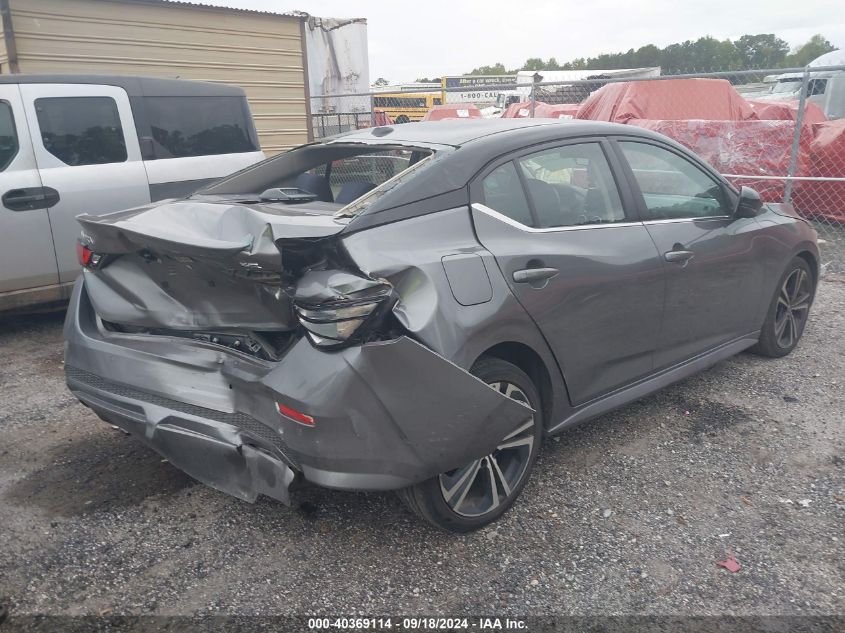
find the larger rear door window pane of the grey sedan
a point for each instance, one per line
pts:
(571, 185)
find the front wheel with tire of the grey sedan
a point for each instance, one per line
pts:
(788, 311)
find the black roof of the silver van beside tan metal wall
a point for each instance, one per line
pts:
(135, 86)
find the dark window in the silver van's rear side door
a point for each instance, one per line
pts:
(81, 130)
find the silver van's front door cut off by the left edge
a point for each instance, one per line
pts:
(27, 259)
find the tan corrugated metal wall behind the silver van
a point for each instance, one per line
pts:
(260, 52)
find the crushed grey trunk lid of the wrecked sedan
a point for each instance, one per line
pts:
(209, 262)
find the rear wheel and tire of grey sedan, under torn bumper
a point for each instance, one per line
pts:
(509, 467)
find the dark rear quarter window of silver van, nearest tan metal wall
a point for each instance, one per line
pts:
(200, 126)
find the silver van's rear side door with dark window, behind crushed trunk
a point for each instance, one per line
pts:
(86, 149)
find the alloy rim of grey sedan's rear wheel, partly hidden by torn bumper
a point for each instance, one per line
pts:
(484, 484)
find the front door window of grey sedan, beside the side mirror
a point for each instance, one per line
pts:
(673, 187)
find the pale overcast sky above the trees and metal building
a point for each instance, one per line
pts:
(431, 38)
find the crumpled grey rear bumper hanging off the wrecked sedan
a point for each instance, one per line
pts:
(388, 414)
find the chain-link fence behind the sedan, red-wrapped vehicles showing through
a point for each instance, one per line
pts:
(780, 131)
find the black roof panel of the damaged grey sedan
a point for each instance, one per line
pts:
(458, 132)
